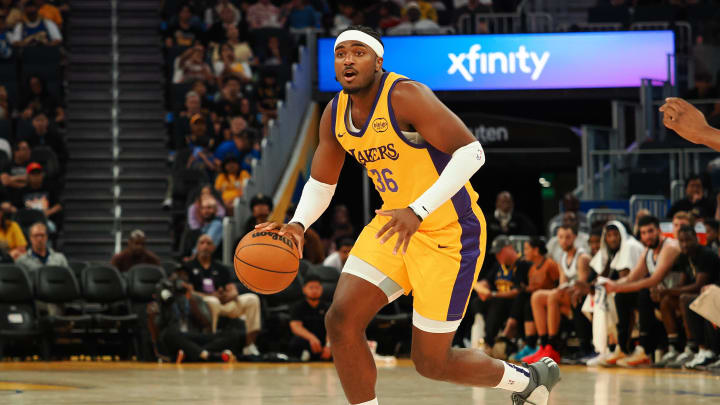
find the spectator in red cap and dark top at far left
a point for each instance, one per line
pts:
(41, 194)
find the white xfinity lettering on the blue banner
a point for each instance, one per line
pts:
(473, 62)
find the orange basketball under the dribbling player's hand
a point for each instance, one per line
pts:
(266, 262)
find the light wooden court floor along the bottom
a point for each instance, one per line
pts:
(118, 383)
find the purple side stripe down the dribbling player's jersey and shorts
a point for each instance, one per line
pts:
(469, 238)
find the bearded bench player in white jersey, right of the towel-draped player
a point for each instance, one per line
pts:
(633, 290)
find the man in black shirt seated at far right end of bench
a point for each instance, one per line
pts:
(697, 266)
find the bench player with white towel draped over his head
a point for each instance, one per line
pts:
(619, 252)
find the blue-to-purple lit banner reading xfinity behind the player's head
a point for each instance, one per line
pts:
(520, 61)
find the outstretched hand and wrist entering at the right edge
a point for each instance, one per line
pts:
(683, 118)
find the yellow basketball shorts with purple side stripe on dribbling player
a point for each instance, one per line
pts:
(439, 268)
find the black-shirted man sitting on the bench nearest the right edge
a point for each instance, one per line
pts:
(698, 266)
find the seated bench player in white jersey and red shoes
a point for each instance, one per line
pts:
(548, 305)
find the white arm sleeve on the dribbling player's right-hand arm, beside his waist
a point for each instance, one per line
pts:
(464, 163)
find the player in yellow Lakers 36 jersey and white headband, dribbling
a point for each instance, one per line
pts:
(428, 238)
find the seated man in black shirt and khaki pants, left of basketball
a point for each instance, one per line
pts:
(212, 281)
